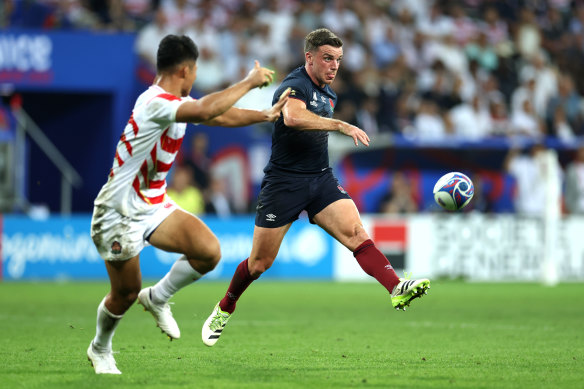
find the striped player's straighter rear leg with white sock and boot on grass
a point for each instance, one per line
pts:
(125, 280)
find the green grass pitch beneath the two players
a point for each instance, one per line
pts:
(304, 335)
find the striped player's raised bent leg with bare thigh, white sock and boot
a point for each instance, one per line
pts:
(184, 233)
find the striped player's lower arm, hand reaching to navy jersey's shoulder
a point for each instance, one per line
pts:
(236, 117)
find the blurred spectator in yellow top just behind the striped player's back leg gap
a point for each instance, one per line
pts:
(184, 193)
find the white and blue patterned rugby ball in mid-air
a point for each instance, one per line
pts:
(453, 191)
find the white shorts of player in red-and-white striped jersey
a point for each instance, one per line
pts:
(118, 237)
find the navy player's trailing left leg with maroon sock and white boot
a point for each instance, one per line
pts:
(266, 243)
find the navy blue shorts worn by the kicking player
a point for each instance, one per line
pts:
(283, 197)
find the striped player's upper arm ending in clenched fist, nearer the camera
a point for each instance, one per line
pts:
(217, 103)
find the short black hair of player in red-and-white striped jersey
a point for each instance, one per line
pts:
(173, 50)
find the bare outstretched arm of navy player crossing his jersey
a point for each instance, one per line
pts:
(298, 117)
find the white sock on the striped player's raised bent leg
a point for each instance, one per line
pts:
(180, 275)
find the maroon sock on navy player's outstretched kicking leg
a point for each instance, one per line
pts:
(374, 263)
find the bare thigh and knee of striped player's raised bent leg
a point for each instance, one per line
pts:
(182, 232)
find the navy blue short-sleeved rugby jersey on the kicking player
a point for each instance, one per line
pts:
(299, 151)
